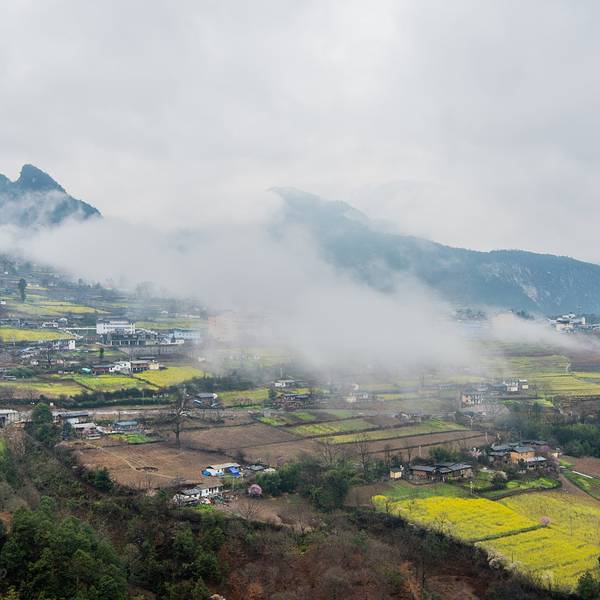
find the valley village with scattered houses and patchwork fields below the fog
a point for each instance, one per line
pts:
(166, 398)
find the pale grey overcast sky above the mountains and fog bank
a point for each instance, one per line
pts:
(471, 123)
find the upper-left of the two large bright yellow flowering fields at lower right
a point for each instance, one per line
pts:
(469, 519)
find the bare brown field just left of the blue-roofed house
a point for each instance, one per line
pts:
(148, 466)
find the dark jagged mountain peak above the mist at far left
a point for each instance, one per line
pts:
(35, 199)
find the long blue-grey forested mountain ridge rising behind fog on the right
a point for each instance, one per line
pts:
(519, 279)
